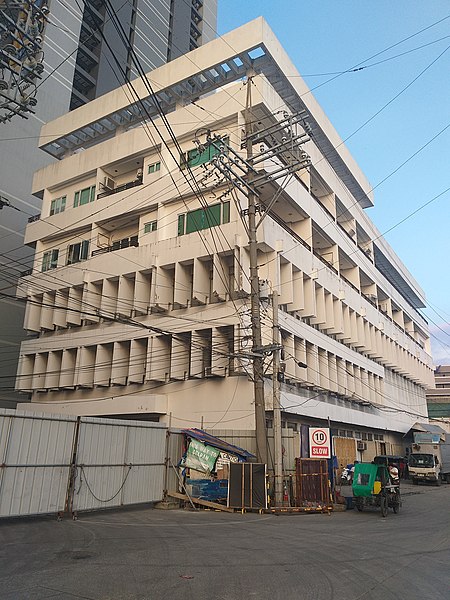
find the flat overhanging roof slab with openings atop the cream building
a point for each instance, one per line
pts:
(252, 48)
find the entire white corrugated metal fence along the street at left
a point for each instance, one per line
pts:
(52, 463)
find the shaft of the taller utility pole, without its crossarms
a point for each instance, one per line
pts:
(258, 361)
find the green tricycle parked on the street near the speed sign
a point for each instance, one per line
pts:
(374, 485)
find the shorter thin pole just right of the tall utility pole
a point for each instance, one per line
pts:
(277, 430)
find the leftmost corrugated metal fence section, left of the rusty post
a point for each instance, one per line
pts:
(35, 457)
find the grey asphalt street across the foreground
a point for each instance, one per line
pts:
(151, 554)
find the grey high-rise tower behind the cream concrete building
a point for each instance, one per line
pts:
(79, 42)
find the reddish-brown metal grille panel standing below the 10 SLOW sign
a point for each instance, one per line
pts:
(312, 481)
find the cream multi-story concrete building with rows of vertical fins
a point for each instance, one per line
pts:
(138, 302)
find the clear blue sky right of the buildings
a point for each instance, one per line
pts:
(404, 90)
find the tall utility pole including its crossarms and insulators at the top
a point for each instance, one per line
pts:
(280, 141)
